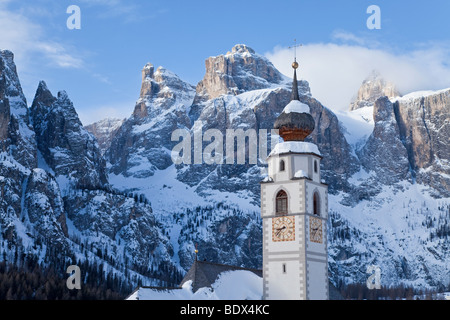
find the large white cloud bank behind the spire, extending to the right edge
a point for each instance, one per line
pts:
(336, 71)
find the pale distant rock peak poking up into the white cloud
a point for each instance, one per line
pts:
(372, 88)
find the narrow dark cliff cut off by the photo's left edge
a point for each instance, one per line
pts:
(17, 147)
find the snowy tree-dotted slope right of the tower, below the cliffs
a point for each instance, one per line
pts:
(404, 232)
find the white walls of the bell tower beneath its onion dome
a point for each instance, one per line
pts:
(296, 268)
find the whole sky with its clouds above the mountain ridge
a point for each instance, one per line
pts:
(100, 65)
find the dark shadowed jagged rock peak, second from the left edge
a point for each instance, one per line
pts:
(66, 147)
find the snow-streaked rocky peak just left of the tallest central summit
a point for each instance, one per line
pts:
(140, 145)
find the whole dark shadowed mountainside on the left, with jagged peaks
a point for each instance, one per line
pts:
(56, 201)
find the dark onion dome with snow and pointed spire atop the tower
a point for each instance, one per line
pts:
(295, 123)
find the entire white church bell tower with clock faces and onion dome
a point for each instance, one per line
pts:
(294, 210)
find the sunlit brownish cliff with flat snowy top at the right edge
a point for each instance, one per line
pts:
(424, 128)
